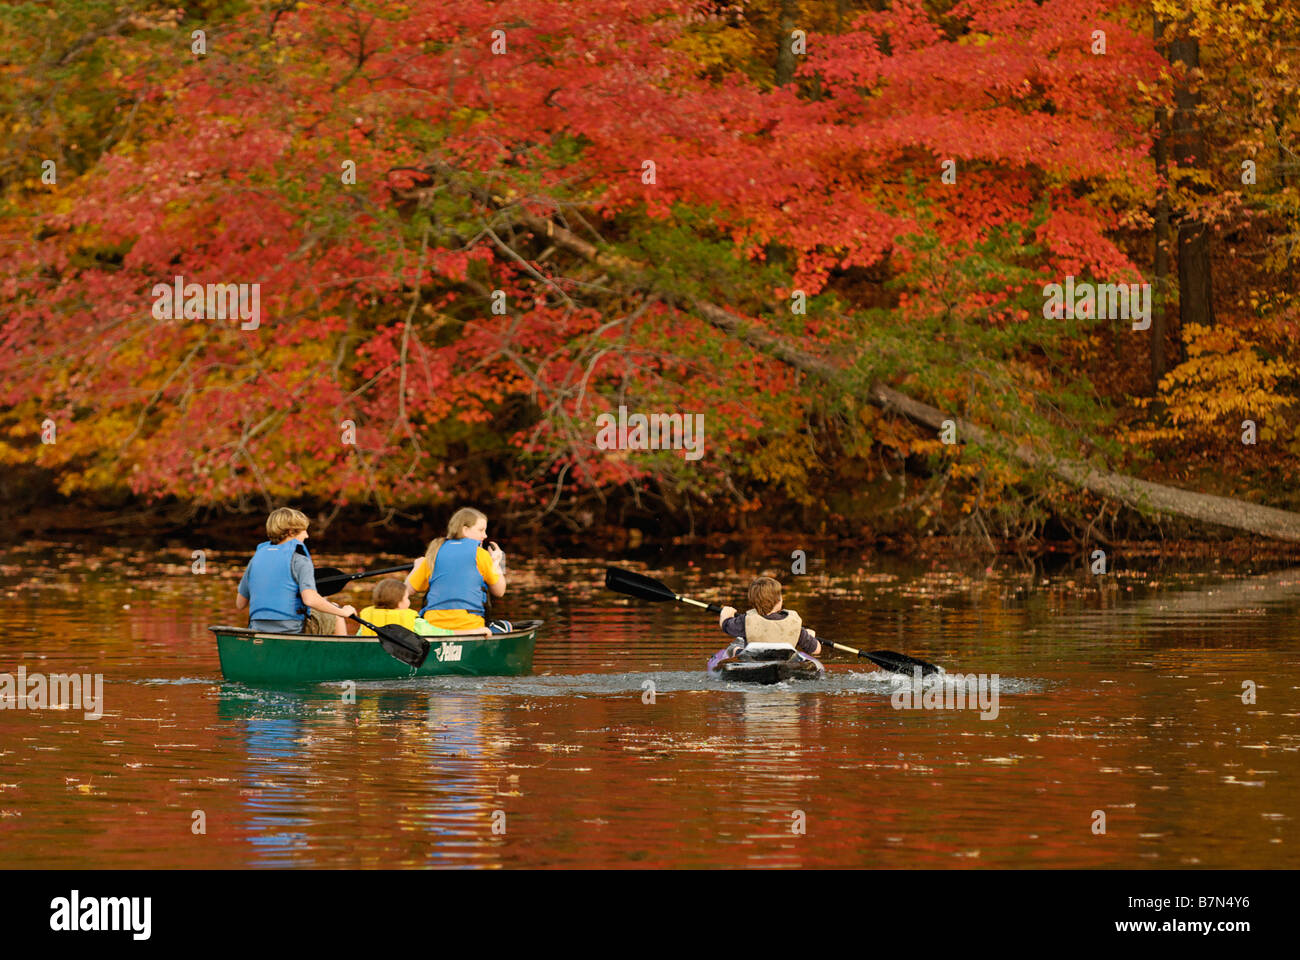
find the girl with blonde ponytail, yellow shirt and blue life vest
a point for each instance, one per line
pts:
(452, 582)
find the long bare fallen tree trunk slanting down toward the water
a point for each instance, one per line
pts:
(1139, 495)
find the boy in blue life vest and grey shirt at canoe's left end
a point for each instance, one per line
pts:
(279, 589)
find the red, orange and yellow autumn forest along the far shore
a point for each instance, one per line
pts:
(996, 270)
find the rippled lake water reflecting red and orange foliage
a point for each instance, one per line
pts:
(1121, 697)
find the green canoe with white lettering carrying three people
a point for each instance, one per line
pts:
(291, 659)
